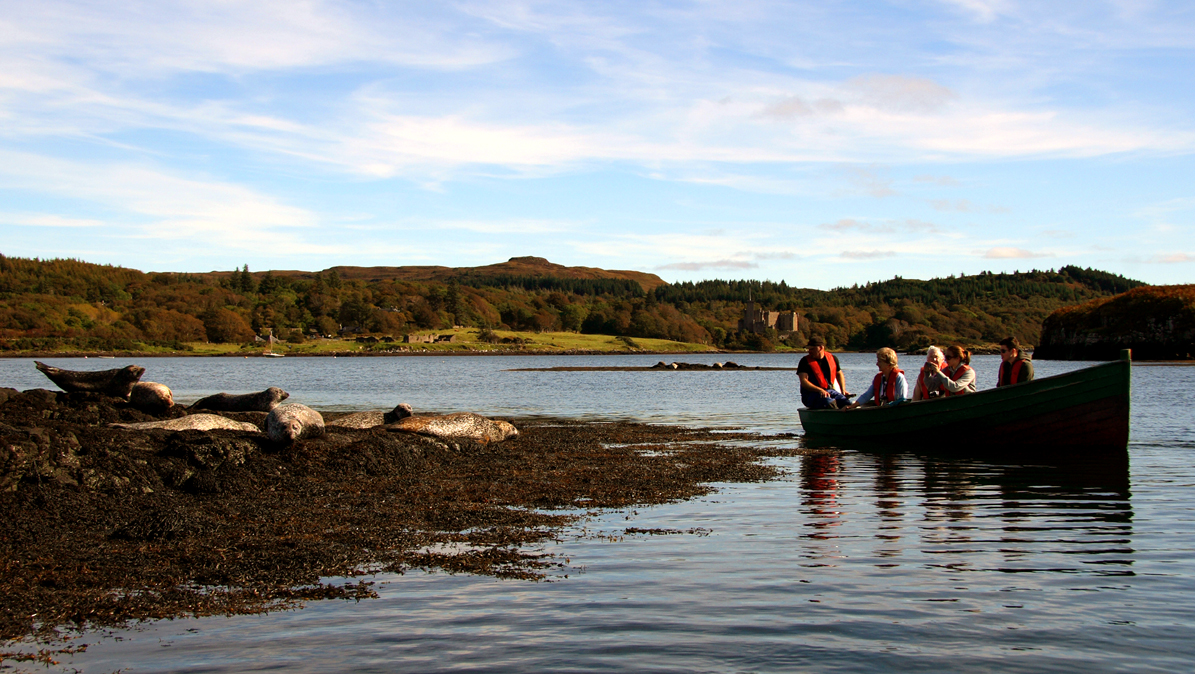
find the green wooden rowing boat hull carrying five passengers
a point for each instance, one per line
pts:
(1081, 410)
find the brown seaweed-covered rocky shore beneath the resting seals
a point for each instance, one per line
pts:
(108, 526)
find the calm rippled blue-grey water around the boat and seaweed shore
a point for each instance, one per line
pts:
(854, 562)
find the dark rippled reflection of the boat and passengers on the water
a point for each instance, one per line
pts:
(1070, 516)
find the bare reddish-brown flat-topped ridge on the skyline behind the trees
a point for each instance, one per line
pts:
(525, 267)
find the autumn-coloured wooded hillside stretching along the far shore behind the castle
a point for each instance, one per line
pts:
(72, 304)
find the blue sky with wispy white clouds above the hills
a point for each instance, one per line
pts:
(820, 143)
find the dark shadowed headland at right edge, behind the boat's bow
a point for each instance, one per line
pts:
(1157, 322)
